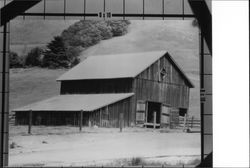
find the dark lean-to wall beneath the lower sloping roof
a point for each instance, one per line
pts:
(104, 117)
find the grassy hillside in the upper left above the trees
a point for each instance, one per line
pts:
(27, 34)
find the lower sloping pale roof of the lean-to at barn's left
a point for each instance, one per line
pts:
(85, 102)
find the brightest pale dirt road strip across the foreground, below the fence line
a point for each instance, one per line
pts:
(98, 148)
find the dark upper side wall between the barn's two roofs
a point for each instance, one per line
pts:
(123, 85)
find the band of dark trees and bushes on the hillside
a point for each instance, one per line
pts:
(63, 51)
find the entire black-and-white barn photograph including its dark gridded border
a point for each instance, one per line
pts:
(106, 83)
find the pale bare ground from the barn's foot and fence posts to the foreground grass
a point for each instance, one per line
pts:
(66, 146)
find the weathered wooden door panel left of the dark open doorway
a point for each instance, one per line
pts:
(140, 112)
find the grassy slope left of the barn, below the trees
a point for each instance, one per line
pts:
(33, 84)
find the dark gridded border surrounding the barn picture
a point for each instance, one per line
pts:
(17, 8)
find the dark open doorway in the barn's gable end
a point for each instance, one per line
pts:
(154, 107)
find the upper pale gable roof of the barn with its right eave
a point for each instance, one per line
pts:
(127, 65)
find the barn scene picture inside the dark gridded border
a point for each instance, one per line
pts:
(104, 93)
